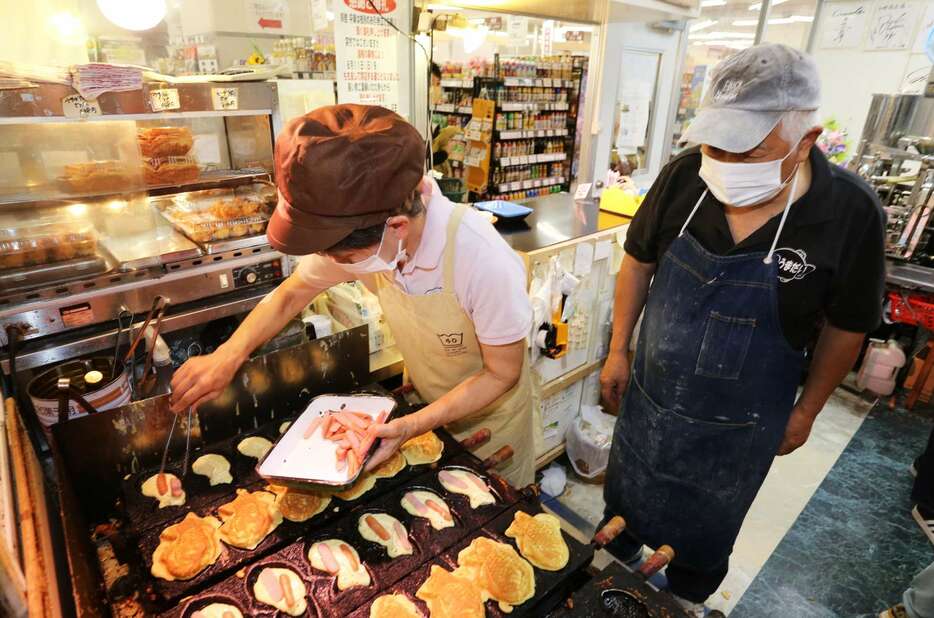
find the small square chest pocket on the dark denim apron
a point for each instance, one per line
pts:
(723, 350)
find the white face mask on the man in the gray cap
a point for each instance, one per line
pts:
(744, 184)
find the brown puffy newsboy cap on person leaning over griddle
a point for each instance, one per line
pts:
(341, 168)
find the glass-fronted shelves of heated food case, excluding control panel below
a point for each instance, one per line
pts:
(109, 192)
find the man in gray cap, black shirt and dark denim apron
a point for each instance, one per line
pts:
(745, 250)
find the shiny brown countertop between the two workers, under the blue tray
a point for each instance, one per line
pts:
(557, 218)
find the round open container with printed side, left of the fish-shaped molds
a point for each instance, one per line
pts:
(110, 392)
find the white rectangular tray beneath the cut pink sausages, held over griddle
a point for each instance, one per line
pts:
(295, 459)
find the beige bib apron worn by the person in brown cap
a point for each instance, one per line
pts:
(441, 350)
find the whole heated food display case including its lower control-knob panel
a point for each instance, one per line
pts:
(108, 204)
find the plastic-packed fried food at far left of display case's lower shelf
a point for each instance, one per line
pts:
(44, 243)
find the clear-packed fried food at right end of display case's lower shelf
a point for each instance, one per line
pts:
(215, 215)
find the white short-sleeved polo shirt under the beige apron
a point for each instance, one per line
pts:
(489, 277)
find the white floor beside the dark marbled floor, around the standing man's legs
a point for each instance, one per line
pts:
(790, 484)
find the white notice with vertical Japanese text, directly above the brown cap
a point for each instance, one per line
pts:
(366, 49)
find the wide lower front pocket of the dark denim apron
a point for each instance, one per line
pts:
(706, 455)
